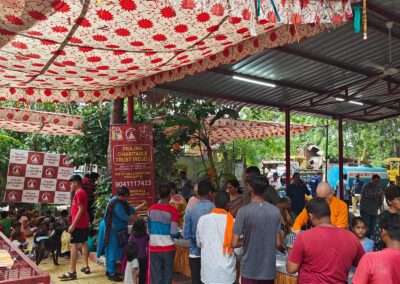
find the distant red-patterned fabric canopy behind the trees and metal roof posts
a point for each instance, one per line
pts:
(227, 130)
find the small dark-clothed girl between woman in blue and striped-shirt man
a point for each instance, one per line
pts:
(140, 237)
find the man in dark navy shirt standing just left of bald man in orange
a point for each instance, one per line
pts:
(297, 192)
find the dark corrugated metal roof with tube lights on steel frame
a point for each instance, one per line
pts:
(312, 74)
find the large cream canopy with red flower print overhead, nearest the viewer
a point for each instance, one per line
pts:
(93, 50)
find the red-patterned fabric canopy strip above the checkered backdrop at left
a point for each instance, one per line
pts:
(40, 122)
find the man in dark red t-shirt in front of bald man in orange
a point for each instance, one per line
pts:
(325, 253)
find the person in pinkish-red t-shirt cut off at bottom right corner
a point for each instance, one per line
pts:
(382, 266)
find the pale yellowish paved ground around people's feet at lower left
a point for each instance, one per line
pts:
(96, 277)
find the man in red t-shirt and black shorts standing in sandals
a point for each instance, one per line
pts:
(79, 228)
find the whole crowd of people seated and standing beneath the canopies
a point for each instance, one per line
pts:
(234, 234)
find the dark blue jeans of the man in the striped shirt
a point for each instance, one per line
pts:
(162, 267)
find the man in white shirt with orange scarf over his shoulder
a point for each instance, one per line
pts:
(214, 235)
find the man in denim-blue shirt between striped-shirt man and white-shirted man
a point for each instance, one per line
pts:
(203, 207)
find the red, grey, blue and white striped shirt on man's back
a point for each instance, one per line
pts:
(163, 227)
